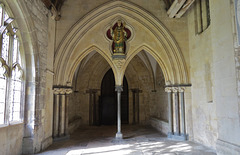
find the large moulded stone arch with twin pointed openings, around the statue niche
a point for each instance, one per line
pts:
(163, 47)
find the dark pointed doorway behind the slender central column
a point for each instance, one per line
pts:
(108, 101)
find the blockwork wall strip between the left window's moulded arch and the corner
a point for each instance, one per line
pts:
(38, 14)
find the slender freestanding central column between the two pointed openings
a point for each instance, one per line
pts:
(119, 89)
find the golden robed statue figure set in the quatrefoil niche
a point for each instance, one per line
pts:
(119, 36)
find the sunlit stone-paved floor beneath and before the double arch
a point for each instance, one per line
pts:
(138, 140)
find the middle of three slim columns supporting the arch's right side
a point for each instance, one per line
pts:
(176, 111)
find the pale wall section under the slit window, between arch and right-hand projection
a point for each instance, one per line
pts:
(203, 106)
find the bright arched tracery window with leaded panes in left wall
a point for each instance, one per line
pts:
(11, 72)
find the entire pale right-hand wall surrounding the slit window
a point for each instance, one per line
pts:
(214, 73)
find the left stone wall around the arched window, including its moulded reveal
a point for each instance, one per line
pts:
(32, 21)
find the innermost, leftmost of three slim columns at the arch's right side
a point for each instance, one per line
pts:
(170, 111)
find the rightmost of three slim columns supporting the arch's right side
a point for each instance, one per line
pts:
(182, 110)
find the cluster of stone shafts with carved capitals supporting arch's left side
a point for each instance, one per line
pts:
(60, 112)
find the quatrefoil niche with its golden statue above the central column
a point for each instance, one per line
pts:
(119, 34)
